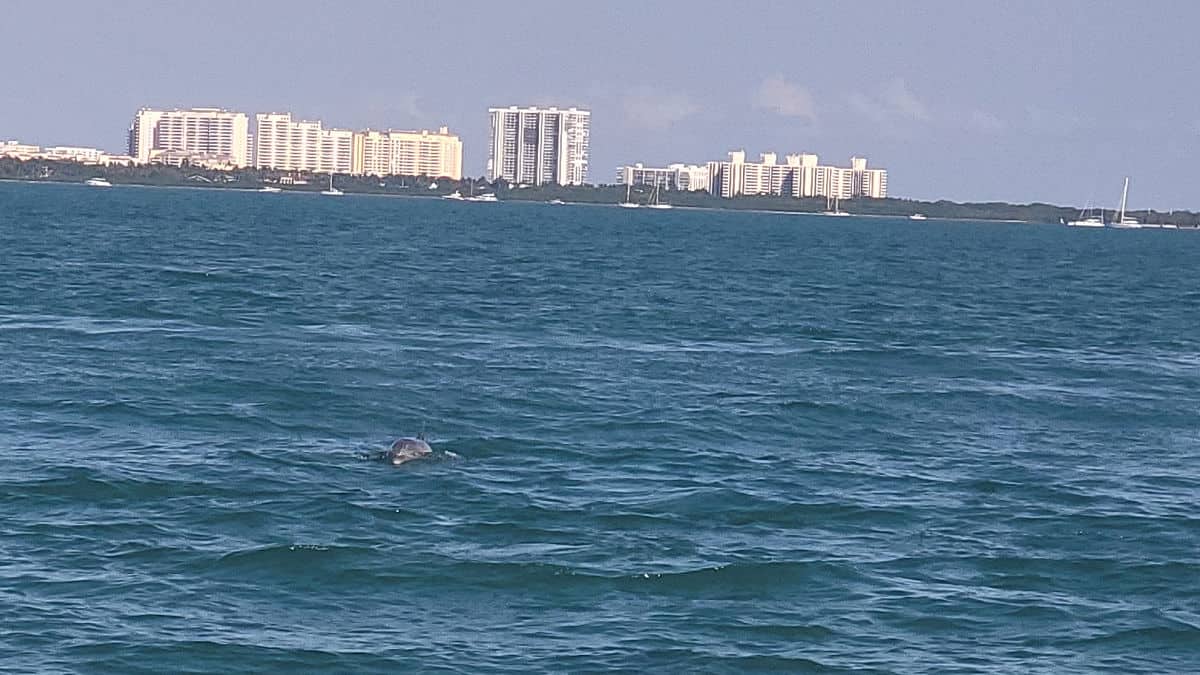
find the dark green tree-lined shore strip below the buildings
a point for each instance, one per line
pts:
(44, 171)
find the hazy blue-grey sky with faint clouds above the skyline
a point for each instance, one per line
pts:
(1006, 100)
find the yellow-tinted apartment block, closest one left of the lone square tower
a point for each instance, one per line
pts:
(409, 153)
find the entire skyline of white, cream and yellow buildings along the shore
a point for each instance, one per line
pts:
(527, 146)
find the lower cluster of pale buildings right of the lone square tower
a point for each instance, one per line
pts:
(800, 176)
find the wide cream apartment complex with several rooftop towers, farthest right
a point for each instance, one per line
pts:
(801, 176)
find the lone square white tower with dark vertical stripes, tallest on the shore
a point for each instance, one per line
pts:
(539, 146)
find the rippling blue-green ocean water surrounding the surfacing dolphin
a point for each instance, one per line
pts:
(671, 441)
